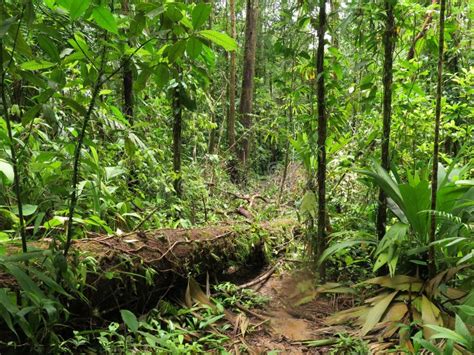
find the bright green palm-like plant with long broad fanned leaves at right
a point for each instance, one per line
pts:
(410, 203)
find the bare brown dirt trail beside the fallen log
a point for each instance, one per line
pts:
(289, 324)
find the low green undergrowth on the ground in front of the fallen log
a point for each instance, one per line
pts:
(169, 328)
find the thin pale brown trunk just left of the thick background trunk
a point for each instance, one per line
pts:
(232, 69)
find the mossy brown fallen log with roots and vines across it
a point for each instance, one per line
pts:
(137, 269)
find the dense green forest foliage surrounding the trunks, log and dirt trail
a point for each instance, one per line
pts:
(52, 63)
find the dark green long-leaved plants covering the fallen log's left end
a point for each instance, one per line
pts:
(37, 307)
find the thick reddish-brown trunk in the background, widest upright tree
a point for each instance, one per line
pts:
(246, 98)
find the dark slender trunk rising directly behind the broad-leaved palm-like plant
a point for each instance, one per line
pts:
(388, 43)
